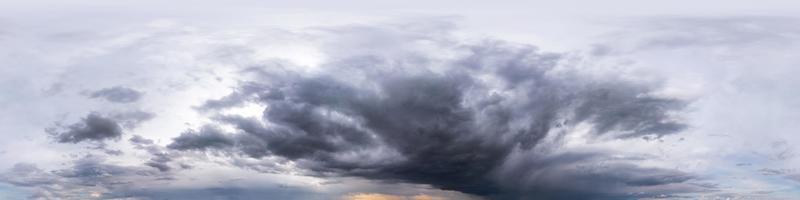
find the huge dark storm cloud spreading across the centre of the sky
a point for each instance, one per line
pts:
(456, 124)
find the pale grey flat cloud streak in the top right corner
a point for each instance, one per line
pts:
(710, 32)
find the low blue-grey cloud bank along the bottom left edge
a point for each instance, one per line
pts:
(93, 174)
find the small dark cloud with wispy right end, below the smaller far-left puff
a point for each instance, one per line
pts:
(98, 127)
